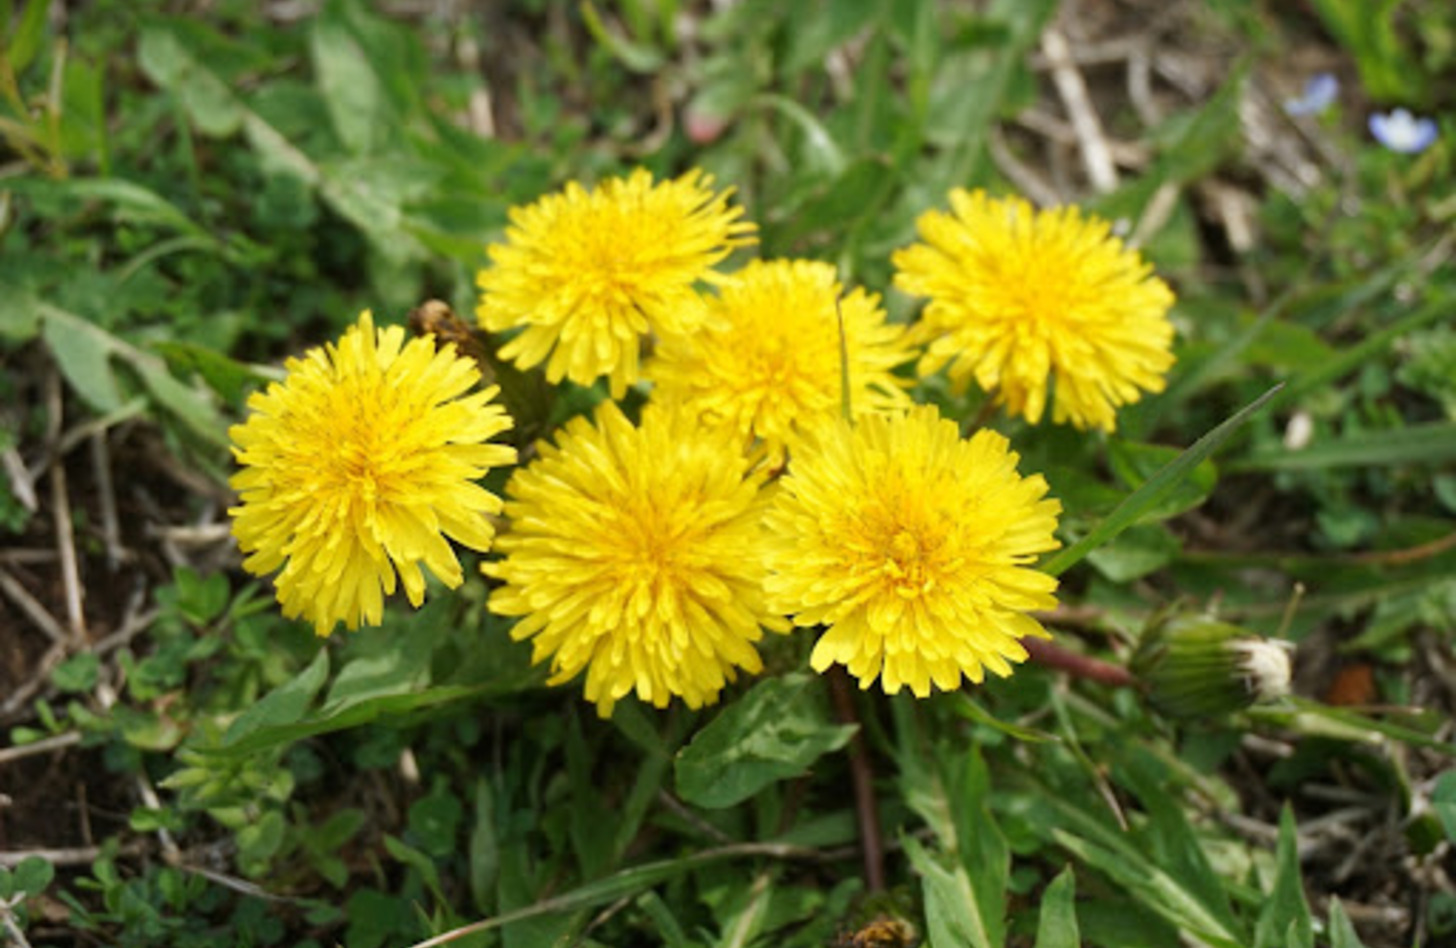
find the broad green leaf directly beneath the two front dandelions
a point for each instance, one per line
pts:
(775, 732)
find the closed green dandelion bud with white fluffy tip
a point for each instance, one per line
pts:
(1200, 668)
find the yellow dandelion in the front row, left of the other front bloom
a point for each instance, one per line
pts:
(636, 553)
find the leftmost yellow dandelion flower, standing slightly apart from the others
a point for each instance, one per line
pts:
(357, 468)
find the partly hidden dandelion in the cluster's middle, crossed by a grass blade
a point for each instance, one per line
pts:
(768, 363)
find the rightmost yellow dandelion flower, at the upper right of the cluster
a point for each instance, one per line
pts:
(1021, 296)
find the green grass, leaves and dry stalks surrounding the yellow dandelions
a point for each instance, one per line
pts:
(191, 191)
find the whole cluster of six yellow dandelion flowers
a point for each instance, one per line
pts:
(780, 477)
